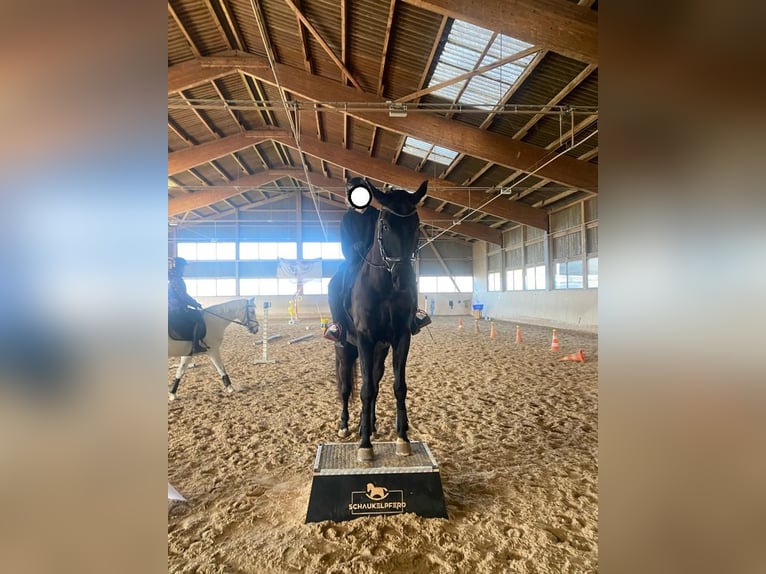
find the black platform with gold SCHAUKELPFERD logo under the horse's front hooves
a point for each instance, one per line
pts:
(343, 489)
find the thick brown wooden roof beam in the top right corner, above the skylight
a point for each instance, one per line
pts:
(556, 25)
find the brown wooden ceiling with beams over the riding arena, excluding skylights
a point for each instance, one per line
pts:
(285, 96)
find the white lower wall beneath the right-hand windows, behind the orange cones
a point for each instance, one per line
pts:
(564, 308)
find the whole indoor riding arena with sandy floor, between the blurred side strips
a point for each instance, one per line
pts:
(486, 120)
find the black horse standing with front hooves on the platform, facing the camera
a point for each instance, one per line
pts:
(381, 307)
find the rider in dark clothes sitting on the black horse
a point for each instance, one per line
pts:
(357, 233)
